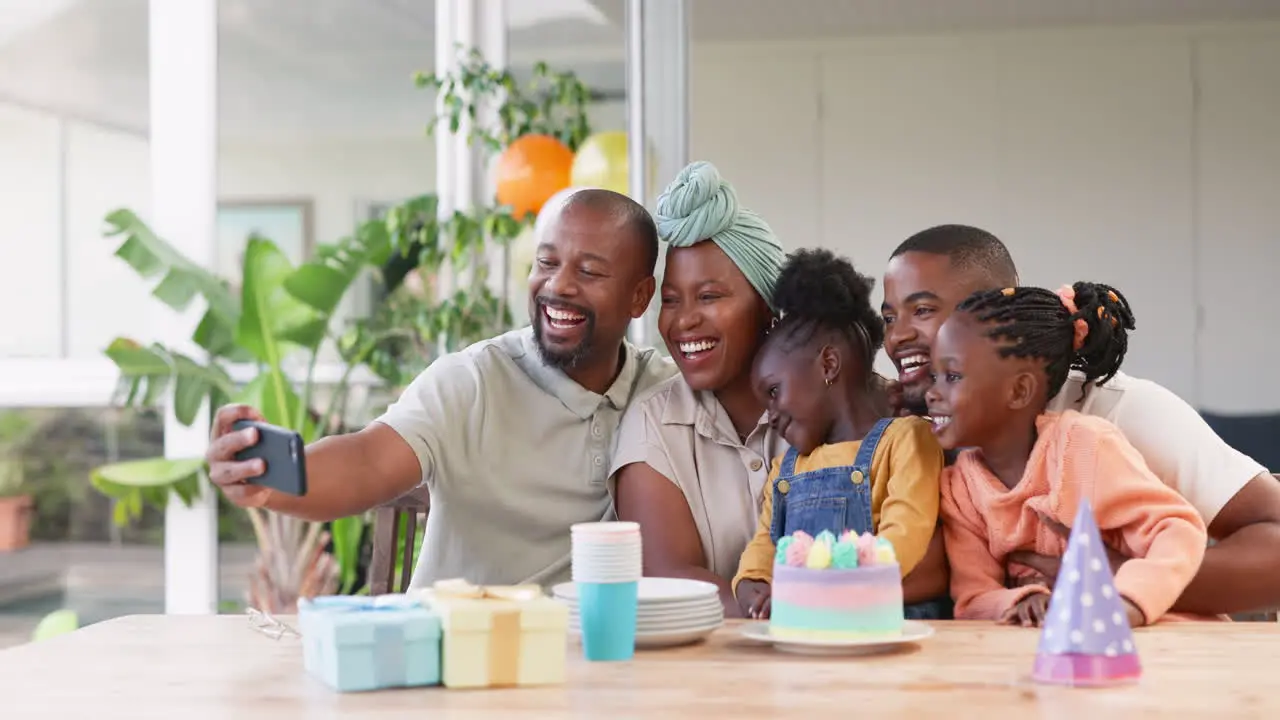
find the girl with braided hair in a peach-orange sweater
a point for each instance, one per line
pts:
(998, 362)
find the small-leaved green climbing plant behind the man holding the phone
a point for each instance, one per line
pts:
(419, 321)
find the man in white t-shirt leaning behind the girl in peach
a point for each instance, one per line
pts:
(934, 271)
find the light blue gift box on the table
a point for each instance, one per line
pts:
(365, 644)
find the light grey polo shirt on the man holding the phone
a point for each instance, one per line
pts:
(513, 453)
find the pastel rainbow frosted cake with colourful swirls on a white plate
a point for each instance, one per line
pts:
(828, 589)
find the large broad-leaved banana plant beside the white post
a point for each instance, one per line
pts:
(281, 313)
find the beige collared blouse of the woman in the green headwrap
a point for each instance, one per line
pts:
(688, 438)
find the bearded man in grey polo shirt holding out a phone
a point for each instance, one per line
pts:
(511, 436)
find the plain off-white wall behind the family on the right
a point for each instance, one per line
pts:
(1146, 158)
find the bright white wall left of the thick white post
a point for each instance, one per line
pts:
(100, 170)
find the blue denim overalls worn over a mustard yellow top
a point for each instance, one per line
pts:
(838, 500)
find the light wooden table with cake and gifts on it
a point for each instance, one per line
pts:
(193, 668)
